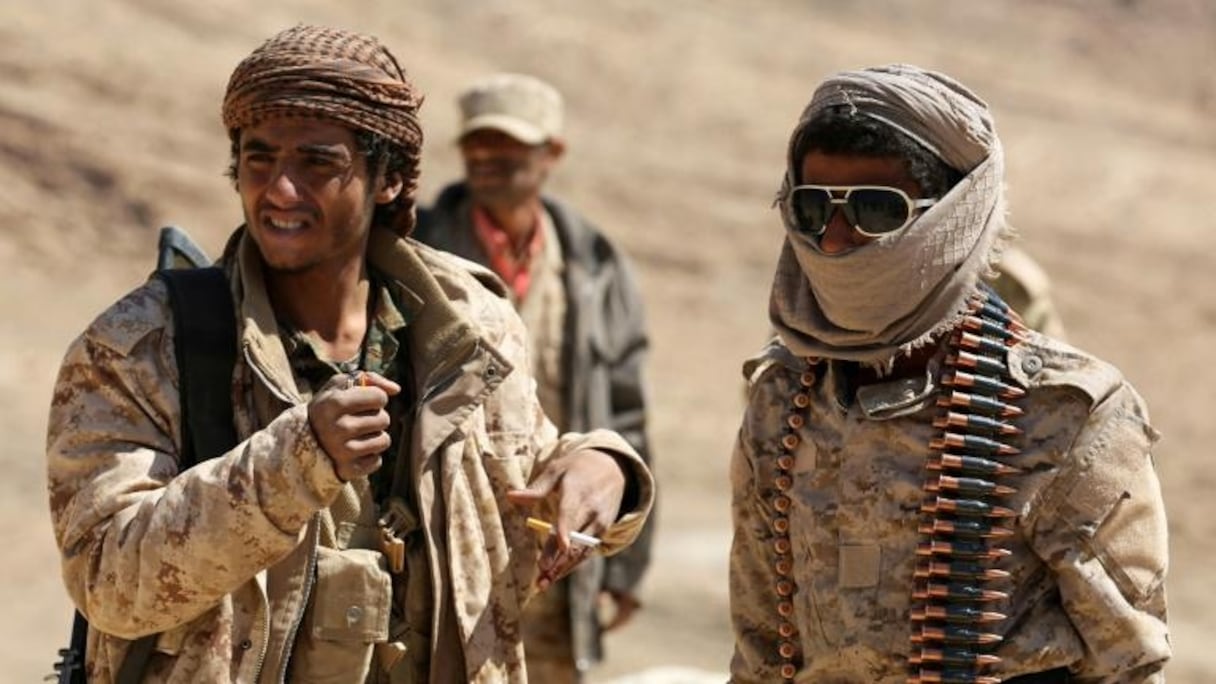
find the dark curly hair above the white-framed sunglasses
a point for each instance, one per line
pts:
(843, 131)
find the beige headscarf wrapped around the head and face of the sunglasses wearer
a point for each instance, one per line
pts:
(900, 291)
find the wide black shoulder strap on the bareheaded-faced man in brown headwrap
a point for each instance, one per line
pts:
(205, 337)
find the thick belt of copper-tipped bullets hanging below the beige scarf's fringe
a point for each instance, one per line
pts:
(965, 522)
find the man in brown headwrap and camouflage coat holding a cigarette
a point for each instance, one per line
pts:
(370, 525)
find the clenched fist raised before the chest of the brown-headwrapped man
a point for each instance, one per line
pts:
(350, 421)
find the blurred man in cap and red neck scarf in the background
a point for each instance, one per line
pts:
(579, 300)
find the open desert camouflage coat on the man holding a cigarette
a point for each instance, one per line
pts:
(228, 562)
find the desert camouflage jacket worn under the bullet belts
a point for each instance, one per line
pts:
(1089, 554)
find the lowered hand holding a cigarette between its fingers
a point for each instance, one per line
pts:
(587, 489)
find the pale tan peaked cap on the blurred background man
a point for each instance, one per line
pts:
(522, 106)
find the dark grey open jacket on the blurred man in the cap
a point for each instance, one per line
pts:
(605, 352)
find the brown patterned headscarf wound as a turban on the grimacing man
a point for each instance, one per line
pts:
(320, 72)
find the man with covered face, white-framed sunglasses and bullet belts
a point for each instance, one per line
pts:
(925, 490)
